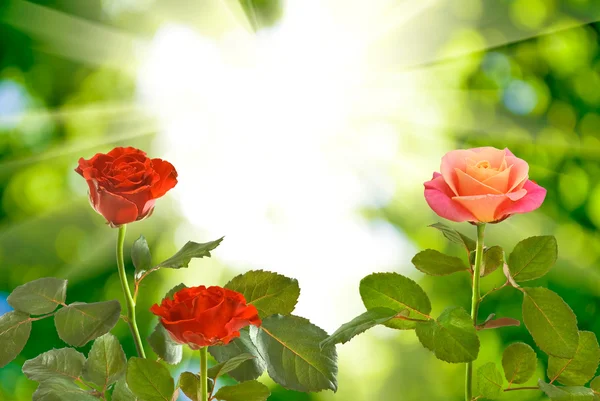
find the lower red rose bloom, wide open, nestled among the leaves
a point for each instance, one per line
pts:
(200, 316)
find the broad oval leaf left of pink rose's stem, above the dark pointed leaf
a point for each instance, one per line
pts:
(396, 292)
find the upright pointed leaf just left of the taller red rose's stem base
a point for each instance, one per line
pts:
(106, 361)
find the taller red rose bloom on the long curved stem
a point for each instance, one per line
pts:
(125, 183)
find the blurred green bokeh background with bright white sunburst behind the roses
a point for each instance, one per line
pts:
(404, 83)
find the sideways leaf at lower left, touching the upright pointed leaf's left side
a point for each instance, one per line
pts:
(64, 362)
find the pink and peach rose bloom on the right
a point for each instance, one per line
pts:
(482, 185)
